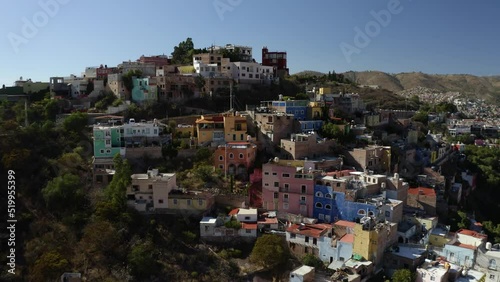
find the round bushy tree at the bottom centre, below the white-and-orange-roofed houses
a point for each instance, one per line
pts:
(269, 251)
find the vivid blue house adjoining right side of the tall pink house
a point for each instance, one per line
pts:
(330, 206)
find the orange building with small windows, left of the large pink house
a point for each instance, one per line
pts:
(235, 158)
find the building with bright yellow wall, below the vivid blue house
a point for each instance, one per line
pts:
(371, 239)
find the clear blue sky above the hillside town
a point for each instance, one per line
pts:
(445, 36)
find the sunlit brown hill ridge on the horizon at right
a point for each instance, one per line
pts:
(480, 86)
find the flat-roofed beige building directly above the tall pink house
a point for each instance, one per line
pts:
(302, 145)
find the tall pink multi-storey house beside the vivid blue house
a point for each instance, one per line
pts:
(288, 187)
